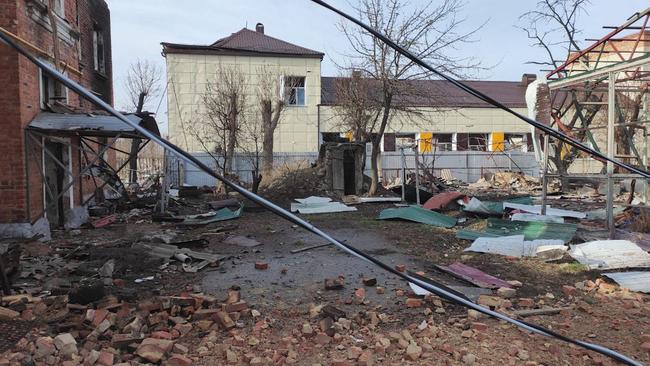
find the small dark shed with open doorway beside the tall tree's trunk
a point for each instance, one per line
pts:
(343, 165)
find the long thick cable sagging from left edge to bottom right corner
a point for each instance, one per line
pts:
(428, 285)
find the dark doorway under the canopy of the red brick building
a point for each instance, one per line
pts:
(54, 179)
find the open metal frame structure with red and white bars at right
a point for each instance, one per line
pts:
(611, 73)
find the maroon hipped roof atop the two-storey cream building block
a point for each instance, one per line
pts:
(247, 42)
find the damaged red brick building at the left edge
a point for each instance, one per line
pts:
(84, 49)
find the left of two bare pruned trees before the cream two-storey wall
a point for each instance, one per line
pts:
(223, 112)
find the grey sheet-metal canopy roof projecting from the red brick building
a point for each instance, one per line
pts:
(88, 124)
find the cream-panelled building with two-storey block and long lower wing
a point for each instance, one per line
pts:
(467, 123)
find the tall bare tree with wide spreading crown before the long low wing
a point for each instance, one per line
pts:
(431, 31)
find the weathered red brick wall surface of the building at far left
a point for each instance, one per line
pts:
(21, 189)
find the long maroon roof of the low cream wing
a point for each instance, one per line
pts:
(440, 93)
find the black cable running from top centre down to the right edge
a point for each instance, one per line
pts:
(484, 97)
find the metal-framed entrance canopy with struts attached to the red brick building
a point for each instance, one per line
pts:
(91, 137)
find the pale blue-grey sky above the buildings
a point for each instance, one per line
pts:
(139, 26)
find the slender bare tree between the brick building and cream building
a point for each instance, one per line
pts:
(143, 84)
